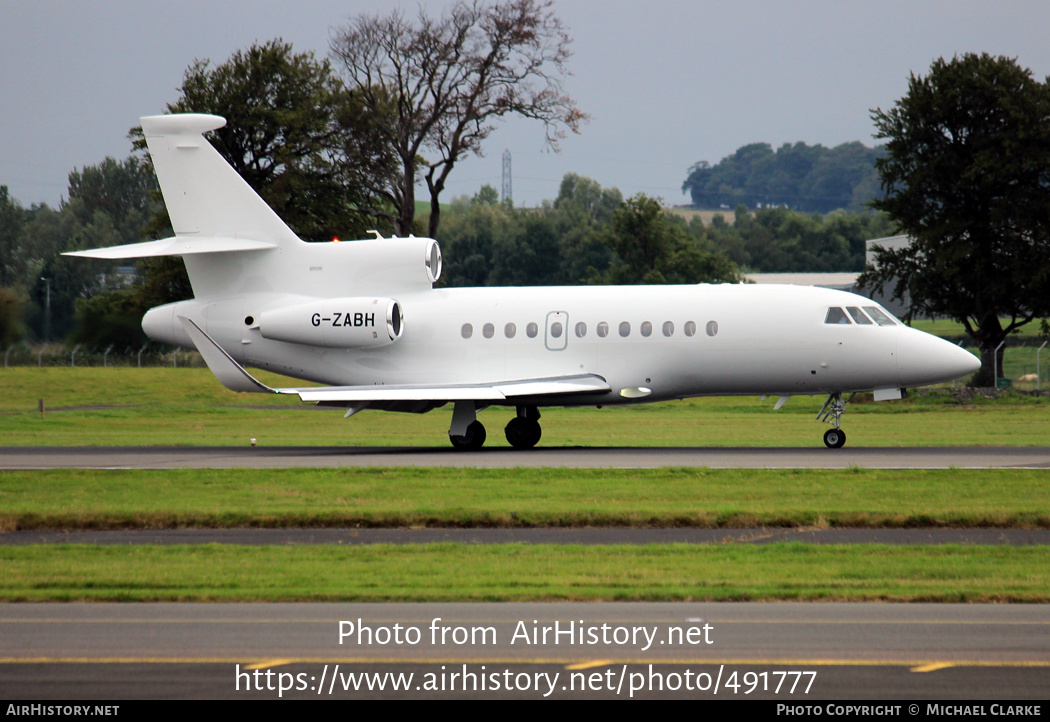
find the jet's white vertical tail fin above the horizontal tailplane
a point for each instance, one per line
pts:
(204, 196)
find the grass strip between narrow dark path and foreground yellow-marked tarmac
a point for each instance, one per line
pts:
(516, 572)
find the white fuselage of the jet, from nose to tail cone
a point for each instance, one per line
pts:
(648, 343)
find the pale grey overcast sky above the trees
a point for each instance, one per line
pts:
(666, 83)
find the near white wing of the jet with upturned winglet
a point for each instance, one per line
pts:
(234, 376)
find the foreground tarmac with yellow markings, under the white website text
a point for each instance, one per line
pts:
(835, 651)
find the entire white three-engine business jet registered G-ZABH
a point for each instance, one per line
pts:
(365, 318)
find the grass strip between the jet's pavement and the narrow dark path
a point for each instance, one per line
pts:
(522, 498)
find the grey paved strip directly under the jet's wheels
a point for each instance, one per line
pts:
(631, 458)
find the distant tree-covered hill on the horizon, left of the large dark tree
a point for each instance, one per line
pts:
(800, 177)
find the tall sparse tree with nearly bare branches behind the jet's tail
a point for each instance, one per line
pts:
(434, 90)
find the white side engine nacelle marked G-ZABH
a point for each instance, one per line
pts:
(335, 323)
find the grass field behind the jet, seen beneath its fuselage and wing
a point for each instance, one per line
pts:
(188, 408)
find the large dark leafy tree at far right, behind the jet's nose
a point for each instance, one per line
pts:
(968, 178)
